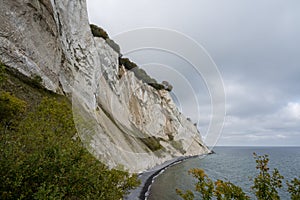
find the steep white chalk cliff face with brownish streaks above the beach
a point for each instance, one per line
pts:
(121, 120)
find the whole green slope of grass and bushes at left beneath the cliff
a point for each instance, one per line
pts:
(40, 155)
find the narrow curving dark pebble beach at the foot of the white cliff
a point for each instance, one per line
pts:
(147, 178)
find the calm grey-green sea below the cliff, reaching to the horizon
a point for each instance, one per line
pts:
(234, 164)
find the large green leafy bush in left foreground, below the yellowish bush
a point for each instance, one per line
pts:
(42, 159)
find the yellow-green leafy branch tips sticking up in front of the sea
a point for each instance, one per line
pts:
(265, 185)
